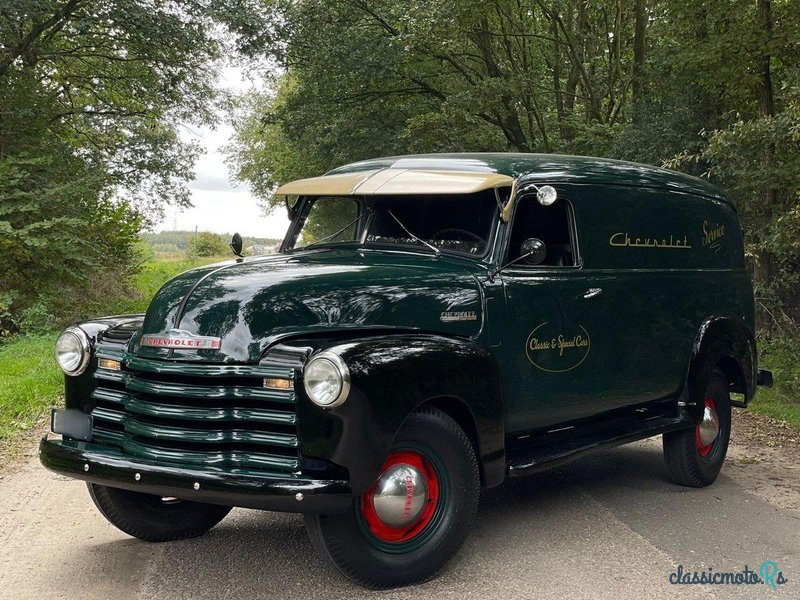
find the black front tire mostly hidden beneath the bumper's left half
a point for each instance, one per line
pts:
(152, 518)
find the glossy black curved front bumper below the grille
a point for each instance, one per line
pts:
(107, 466)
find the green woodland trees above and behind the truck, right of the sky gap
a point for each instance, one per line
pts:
(709, 88)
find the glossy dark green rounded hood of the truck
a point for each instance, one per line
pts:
(252, 303)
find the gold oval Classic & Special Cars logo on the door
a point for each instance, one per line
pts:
(552, 349)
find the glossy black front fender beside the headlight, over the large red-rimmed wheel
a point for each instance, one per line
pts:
(391, 376)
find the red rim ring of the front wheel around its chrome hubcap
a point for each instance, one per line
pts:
(381, 530)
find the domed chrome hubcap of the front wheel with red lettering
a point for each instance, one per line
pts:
(400, 495)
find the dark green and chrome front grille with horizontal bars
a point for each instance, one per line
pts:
(197, 415)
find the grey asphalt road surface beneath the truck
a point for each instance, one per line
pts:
(608, 526)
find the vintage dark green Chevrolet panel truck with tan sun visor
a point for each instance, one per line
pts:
(430, 326)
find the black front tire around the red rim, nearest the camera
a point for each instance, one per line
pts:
(346, 541)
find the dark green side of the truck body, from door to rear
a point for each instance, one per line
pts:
(643, 324)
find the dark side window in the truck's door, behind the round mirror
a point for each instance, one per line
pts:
(550, 224)
